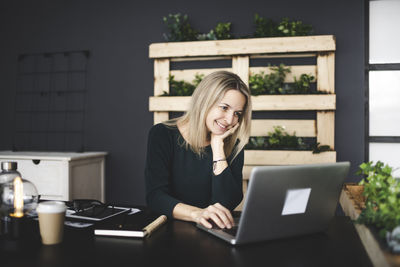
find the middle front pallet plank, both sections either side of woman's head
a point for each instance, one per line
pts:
(260, 103)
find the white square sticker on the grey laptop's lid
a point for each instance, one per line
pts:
(296, 201)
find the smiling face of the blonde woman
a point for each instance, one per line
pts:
(226, 113)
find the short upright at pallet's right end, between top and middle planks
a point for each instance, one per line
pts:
(326, 72)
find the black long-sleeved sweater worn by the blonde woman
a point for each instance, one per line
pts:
(174, 174)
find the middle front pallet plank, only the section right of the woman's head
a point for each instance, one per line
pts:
(294, 102)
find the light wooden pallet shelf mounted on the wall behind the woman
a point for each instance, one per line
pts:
(240, 52)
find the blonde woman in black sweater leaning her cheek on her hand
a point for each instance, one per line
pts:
(194, 163)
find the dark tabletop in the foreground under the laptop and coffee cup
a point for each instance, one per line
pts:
(181, 244)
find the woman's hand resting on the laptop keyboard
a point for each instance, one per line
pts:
(217, 213)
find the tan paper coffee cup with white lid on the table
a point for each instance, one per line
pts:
(51, 221)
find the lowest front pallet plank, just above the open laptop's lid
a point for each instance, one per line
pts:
(286, 157)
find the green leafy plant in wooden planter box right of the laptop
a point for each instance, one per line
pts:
(375, 208)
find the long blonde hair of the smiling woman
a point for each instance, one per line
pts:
(209, 93)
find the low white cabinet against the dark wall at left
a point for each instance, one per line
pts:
(62, 175)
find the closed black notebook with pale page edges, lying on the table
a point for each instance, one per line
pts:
(140, 224)
